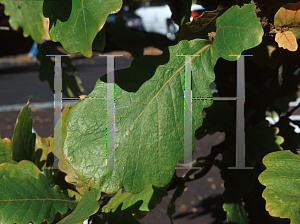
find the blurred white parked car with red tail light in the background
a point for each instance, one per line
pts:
(156, 17)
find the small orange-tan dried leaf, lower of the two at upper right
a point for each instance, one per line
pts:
(286, 40)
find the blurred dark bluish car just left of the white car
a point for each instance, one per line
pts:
(132, 20)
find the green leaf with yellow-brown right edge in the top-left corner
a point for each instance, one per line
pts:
(29, 16)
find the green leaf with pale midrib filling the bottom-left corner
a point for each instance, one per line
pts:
(26, 195)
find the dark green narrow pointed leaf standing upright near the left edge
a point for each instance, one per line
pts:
(23, 141)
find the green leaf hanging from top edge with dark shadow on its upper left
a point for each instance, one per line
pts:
(75, 23)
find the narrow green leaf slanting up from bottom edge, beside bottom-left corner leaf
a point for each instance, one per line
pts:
(87, 206)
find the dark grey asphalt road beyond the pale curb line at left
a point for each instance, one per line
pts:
(20, 82)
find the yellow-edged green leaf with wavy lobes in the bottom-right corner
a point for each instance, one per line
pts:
(282, 181)
